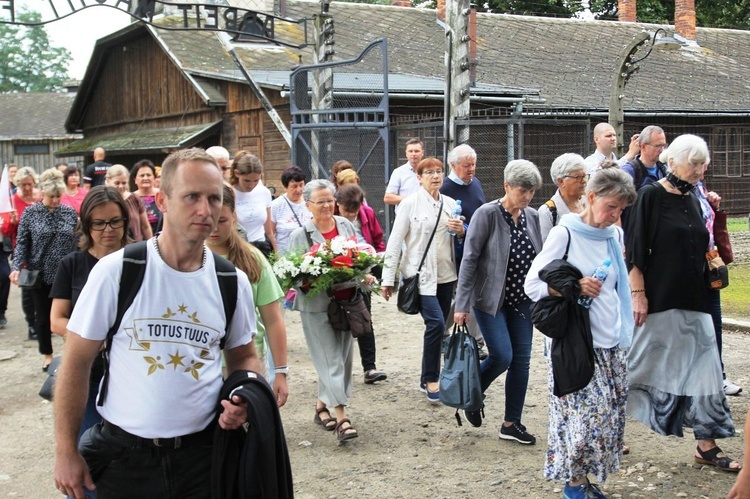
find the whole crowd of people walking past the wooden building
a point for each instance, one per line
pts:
(634, 344)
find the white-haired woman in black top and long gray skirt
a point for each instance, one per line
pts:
(674, 366)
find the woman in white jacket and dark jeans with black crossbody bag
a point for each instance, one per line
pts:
(417, 217)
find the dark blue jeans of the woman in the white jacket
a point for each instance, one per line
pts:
(434, 310)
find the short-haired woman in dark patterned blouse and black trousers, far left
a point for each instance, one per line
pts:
(45, 235)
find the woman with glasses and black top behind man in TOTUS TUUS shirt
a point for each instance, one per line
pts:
(104, 220)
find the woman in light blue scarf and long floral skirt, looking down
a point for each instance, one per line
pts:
(586, 427)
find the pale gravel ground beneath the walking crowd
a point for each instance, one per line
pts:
(406, 449)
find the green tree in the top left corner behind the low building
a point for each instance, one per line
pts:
(30, 63)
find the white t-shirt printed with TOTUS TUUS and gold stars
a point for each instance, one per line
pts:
(165, 362)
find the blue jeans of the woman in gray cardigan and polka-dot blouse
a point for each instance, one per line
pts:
(508, 338)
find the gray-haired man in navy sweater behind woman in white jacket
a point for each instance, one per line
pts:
(462, 185)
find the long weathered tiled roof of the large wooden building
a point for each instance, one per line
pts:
(570, 61)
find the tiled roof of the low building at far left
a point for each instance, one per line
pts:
(35, 116)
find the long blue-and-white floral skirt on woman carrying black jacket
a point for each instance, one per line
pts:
(587, 427)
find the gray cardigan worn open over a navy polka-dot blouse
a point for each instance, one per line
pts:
(481, 280)
